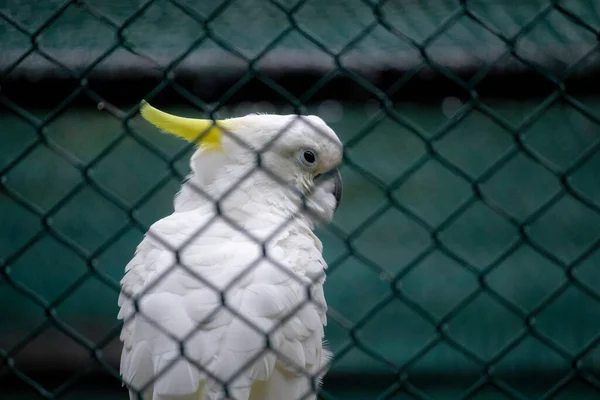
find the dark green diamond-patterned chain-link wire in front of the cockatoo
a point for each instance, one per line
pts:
(383, 16)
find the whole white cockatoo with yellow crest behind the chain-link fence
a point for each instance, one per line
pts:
(224, 297)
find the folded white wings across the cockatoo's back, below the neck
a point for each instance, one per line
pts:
(179, 299)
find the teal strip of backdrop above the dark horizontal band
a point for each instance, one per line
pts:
(84, 31)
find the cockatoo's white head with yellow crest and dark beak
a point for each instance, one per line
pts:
(297, 156)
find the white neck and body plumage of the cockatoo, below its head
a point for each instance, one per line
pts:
(200, 285)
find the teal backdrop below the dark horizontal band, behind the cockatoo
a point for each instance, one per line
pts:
(393, 331)
